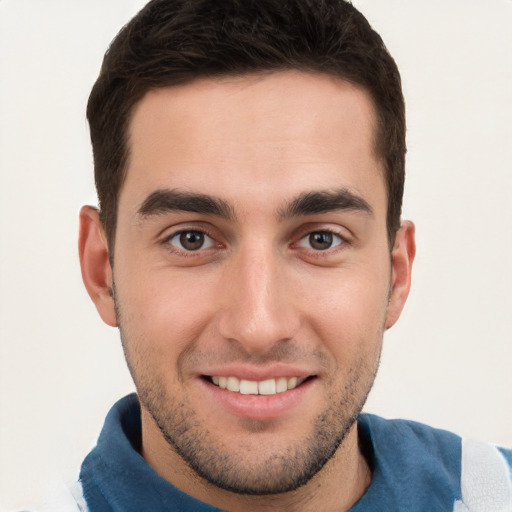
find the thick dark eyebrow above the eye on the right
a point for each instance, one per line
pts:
(325, 201)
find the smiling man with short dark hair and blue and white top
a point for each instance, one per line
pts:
(249, 162)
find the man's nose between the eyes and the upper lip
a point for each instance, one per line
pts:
(258, 308)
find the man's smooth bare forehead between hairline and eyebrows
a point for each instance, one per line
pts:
(278, 133)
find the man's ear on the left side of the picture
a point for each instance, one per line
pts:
(95, 264)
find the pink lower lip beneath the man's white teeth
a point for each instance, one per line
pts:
(258, 407)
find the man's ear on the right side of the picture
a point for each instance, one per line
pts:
(402, 257)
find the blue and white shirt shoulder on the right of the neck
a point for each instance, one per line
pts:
(415, 459)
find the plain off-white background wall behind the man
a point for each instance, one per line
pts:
(449, 360)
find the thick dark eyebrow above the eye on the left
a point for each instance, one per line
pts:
(167, 200)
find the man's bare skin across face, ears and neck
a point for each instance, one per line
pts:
(257, 296)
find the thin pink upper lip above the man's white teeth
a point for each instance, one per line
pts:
(257, 373)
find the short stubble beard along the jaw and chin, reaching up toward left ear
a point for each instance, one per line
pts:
(235, 470)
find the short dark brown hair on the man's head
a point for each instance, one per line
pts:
(172, 42)
